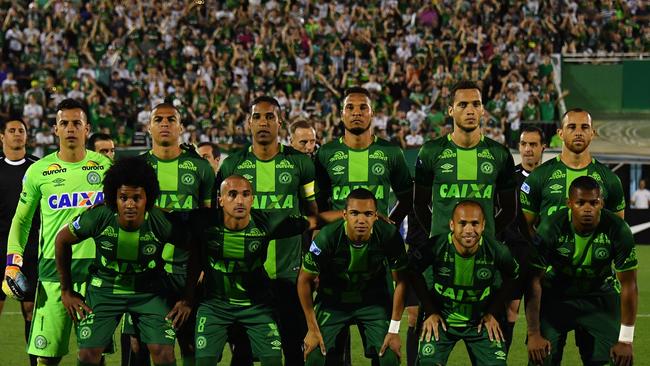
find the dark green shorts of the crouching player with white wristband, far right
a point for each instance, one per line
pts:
(595, 319)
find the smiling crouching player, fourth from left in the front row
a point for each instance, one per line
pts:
(468, 268)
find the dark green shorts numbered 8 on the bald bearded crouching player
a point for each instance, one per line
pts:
(215, 316)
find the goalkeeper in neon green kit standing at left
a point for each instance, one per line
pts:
(64, 183)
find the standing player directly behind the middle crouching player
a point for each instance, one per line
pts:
(360, 159)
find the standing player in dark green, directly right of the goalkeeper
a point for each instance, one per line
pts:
(186, 183)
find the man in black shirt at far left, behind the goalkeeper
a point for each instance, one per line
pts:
(13, 165)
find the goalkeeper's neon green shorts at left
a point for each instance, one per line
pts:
(51, 325)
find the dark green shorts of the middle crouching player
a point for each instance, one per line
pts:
(372, 321)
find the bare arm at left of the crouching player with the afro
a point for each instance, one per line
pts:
(72, 301)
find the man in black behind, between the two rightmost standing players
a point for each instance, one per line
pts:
(531, 148)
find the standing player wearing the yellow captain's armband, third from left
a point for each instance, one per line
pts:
(282, 178)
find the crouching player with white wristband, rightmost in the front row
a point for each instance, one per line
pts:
(574, 286)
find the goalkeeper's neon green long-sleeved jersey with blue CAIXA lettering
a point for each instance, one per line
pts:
(63, 190)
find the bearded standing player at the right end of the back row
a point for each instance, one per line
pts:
(546, 189)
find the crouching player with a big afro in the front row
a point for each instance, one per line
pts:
(129, 234)
